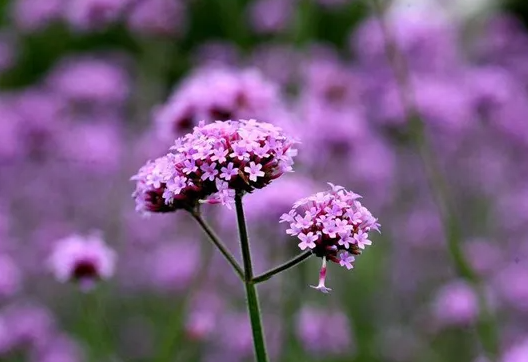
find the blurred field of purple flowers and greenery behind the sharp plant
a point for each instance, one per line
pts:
(92, 89)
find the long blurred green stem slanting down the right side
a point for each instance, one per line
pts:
(486, 325)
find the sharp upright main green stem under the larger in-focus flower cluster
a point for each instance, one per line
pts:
(251, 289)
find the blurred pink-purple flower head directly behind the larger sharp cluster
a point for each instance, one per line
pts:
(212, 94)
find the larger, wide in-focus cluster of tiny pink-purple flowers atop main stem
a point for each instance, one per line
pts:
(212, 164)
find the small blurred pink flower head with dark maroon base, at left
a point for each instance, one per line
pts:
(82, 259)
